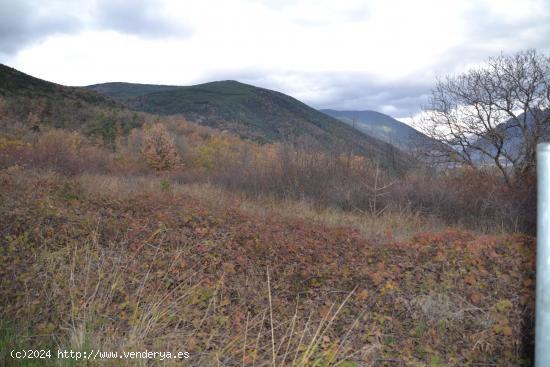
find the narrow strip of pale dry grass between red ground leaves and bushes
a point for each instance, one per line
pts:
(391, 225)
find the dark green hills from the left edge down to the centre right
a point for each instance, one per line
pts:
(257, 114)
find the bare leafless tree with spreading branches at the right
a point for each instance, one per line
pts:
(493, 114)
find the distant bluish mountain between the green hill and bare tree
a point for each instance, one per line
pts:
(382, 127)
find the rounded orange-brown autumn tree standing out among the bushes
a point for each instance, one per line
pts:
(158, 148)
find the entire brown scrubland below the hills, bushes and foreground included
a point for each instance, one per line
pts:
(249, 255)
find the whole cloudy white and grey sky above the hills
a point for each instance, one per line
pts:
(379, 55)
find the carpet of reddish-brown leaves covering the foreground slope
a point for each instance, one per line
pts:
(475, 291)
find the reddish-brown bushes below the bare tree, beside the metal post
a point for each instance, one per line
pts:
(472, 198)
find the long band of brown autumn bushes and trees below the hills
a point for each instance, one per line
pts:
(472, 198)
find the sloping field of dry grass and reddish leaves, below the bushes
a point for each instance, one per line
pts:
(128, 263)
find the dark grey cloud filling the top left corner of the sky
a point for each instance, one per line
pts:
(26, 22)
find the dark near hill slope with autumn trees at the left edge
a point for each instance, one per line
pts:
(28, 104)
